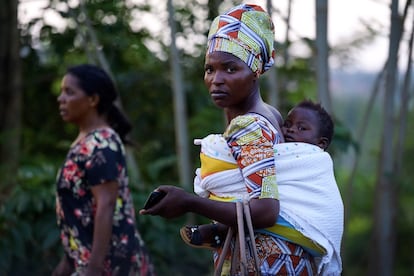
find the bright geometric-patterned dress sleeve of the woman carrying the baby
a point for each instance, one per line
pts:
(251, 141)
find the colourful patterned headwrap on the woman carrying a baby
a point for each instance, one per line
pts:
(247, 32)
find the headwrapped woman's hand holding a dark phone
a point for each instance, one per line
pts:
(172, 205)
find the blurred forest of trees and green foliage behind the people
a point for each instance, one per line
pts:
(160, 80)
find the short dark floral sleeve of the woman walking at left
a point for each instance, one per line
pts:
(105, 162)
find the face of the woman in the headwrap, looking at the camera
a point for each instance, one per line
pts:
(229, 80)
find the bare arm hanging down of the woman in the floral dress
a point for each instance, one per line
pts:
(105, 195)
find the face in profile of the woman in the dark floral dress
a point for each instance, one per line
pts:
(75, 106)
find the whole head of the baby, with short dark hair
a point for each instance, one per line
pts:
(309, 122)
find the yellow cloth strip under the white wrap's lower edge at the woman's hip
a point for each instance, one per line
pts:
(296, 237)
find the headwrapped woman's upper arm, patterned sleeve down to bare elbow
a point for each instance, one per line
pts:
(251, 140)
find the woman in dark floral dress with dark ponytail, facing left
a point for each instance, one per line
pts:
(94, 206)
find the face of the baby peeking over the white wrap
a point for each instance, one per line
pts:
(302, 125)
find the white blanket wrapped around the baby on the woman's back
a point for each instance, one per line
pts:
(310, 199)
